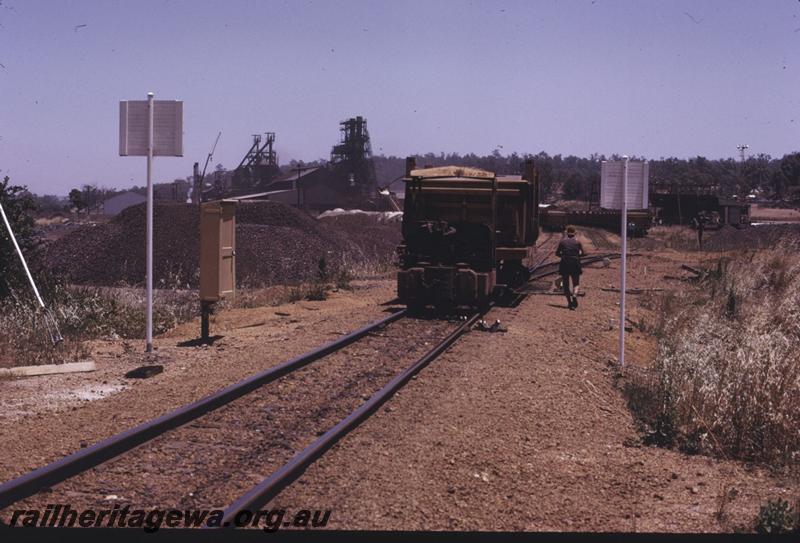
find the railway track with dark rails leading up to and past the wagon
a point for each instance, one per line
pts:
(181, 437)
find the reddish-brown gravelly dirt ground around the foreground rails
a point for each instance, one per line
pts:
(522, 430)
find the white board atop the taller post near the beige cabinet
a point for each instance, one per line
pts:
(167, 128)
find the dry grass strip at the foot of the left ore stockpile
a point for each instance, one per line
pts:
(85, 313)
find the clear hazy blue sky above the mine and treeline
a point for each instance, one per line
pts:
(645, 78)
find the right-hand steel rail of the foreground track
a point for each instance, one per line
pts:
(289, 472)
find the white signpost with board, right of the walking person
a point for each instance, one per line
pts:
(623, 184)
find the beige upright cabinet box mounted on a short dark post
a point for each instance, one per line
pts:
(217, 250)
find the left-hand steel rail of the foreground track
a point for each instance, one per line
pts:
(80, 461)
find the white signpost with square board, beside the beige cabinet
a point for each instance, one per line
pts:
(150, 128)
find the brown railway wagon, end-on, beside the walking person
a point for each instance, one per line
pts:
(466, 233)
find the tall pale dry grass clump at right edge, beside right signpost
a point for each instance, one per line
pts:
(726, 379)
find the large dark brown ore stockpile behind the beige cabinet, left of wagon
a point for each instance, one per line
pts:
(275, 244)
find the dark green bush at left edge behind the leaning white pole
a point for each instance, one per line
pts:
(18, 206)
